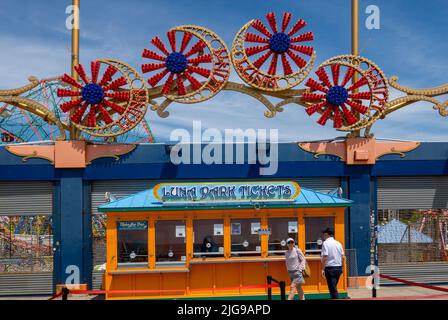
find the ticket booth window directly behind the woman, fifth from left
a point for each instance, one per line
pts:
(281, 229)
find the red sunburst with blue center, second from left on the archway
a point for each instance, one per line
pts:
(178, 65)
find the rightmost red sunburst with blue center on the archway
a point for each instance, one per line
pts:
(338, 100)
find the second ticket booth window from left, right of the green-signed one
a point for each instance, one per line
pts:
(170, 243)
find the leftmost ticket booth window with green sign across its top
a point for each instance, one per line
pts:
(132, 242)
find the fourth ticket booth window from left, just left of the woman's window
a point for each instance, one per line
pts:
(244, 237)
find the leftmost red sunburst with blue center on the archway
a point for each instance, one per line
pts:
(99, 99)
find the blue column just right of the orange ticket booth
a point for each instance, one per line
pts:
(360, 192)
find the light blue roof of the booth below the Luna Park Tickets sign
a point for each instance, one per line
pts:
(145, 201)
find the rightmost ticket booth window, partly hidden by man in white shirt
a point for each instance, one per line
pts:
(313, 233)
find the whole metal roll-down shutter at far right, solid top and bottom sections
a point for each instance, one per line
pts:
(413, 193)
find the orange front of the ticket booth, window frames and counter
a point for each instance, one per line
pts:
(223, 277)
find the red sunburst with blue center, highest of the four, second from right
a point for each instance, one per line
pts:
(280, 43)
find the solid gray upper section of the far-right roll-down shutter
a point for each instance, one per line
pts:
(425, 192)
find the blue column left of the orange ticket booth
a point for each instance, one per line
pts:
(72, 229)
